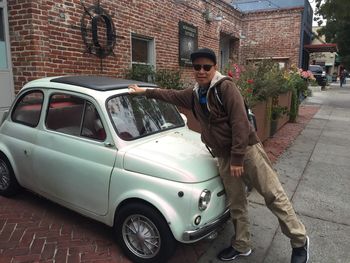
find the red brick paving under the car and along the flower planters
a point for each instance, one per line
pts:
(33, 229)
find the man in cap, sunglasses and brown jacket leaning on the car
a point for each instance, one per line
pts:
(242, 159)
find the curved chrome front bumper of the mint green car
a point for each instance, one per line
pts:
(207, 229)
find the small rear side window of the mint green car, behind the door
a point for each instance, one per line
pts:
(27, 110)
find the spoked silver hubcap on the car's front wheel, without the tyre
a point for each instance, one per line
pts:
(141, 236)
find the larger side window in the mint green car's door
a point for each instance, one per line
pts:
(75, 116)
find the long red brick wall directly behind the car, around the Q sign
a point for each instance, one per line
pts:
(46, 38)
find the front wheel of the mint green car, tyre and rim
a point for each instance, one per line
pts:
(143, 234)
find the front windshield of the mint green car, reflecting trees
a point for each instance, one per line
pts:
(136, 116)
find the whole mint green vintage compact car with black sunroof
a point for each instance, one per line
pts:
(124, 160)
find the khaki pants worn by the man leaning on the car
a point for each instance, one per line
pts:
(259, 173)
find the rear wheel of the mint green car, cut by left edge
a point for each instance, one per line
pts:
(8, 182)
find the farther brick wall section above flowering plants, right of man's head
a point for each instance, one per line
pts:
(273, 34)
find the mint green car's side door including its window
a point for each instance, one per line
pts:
(71, 161)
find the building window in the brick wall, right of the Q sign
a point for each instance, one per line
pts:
(142, 50)
